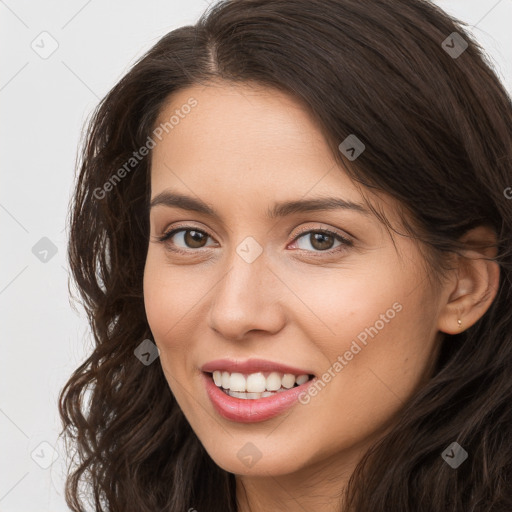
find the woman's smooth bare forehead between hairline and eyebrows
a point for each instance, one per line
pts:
(247, 138)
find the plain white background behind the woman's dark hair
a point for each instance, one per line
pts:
(44, 104)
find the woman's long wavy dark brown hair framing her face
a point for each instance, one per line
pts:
(437, 129)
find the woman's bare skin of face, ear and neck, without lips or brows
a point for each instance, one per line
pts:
(241, 149)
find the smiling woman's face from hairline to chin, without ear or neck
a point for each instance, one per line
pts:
(257, 291)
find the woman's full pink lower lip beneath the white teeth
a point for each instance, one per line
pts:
(252, 410)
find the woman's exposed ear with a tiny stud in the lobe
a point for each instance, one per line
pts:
(474, 283)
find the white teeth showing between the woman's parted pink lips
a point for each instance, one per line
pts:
(256, 385)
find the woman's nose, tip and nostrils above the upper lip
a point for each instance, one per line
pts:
(247, 298)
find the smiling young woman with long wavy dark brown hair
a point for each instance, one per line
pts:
(292, 234)
